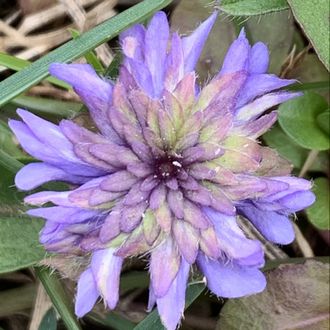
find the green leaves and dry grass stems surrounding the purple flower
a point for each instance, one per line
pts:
(32, 295)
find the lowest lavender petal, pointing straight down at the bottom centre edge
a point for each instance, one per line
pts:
(175, 296)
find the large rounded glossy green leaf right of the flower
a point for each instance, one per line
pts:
(297, 117)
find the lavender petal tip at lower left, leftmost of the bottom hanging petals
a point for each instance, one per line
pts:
(87, 293)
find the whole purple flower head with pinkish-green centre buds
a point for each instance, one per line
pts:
(171, 167)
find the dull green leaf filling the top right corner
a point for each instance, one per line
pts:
(313, 16)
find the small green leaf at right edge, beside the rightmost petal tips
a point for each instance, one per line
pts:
(318, 213)
